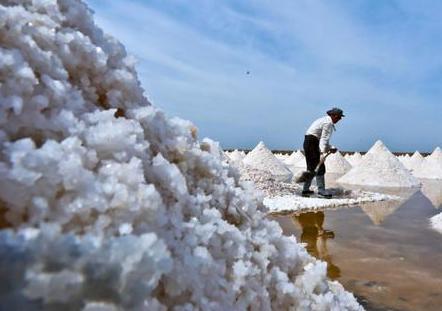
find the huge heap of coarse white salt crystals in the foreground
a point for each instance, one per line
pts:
(106, 204)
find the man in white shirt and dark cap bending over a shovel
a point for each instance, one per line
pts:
(316, 145)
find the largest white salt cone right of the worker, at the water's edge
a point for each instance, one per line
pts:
(380, 168)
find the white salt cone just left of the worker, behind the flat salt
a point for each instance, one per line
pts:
(261, 158)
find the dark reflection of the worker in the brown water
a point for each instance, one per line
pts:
(315, 236)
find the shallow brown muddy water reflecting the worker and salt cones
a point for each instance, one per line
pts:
(384, 253)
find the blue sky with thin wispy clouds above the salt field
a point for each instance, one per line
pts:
(380, 61)
